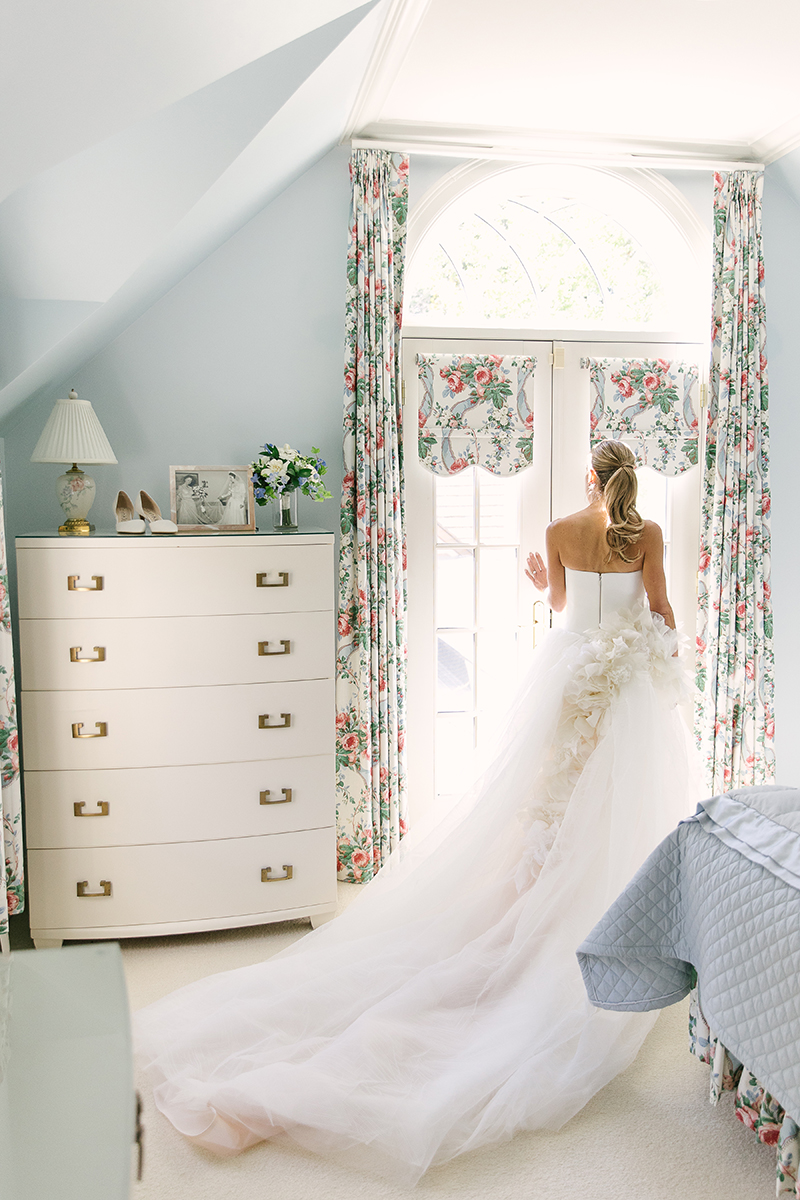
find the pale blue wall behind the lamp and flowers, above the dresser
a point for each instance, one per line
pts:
(249, 347)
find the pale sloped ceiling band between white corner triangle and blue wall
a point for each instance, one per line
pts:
(89, 244)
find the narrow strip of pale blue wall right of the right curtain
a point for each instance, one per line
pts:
(783, 278)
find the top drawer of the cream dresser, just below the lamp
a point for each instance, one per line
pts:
(161, 578)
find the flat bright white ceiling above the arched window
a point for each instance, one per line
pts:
(720, 74)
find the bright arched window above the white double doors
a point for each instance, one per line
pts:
(552, 247)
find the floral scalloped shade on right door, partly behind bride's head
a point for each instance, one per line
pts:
(653, 406)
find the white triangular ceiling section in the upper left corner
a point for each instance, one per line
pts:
(76, 74)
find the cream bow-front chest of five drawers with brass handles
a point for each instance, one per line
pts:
(177, 733)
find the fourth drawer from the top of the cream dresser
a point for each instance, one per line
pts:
(160, 805)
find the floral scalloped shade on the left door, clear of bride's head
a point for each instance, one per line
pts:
(474, 411)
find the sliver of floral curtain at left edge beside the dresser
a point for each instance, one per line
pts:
(14, 895)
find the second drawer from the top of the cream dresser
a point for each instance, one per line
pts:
(98, 653)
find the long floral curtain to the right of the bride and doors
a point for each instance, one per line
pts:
(735, 640)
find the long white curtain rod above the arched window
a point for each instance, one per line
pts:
(651, 163)
